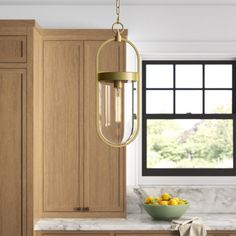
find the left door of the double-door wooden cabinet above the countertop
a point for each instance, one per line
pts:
(63, 69)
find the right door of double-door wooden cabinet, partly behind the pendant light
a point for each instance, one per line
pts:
(104, 166)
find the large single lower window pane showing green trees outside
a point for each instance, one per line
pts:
(190, 143)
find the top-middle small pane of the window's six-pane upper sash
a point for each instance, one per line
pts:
(189, 76)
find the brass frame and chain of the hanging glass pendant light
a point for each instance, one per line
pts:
(118, 79)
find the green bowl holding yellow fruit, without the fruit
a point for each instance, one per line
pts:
(165, 212)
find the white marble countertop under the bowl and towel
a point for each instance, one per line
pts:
(133, 222)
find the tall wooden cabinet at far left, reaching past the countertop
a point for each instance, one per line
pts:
(16, 127)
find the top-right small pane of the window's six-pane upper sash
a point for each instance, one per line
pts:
(218, 76)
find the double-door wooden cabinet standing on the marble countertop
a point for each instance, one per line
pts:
(80, 175)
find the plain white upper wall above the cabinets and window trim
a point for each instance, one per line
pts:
(157, 22)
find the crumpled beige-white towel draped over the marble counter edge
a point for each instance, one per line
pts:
(191, 227)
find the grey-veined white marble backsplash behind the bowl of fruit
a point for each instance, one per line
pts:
(202, 199)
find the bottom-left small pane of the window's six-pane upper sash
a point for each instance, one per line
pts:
(159, 102)
